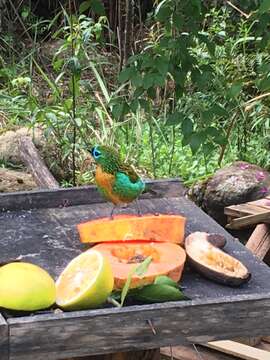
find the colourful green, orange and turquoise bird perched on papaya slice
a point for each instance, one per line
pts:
(118, 182)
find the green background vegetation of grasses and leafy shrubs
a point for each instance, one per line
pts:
(179, 87)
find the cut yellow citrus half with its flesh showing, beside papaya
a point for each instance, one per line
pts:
(85, 283)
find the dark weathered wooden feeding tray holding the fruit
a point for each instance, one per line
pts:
(40, 227)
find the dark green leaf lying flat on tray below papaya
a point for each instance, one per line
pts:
(158, 293)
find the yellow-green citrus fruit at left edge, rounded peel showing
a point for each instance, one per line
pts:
(25, 287)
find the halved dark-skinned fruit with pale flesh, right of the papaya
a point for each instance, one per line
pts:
(214, 263)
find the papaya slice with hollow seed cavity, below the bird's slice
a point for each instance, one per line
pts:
(167, 259)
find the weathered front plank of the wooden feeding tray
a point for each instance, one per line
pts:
(60, 336)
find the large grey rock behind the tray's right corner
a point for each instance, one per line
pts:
(235, 184)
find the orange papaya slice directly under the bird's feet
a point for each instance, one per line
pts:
(164, 228)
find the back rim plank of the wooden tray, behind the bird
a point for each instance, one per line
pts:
(79, 196)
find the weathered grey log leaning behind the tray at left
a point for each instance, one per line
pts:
(35, 164)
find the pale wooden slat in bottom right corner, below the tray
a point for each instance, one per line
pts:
(239, 350)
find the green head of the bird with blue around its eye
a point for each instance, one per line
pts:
(106, 157)
